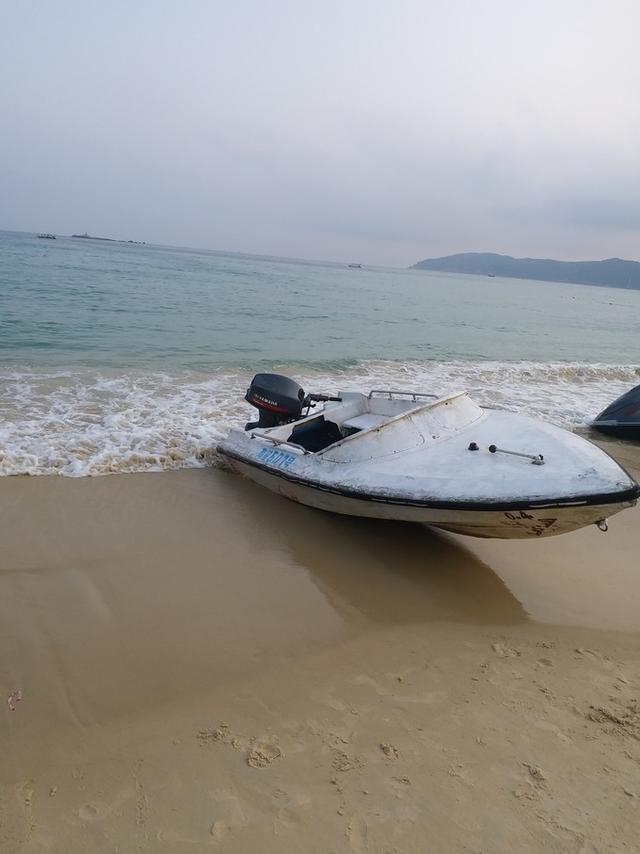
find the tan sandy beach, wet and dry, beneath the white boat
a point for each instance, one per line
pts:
(188, 663)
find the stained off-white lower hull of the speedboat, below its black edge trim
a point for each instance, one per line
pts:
(501, 524)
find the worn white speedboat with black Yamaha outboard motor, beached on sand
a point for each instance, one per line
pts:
(441, 461)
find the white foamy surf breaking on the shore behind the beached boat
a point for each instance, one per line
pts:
(86, 422)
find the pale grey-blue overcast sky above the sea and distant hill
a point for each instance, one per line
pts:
(378, 132)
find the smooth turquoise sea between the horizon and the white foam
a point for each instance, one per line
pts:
(72, 302)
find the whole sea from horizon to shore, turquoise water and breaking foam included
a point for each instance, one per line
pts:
(125, 357)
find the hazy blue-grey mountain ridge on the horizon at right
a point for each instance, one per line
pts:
(612, 273)
